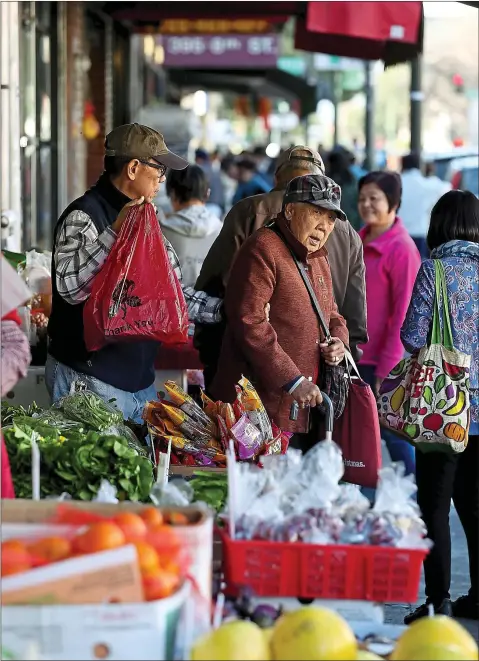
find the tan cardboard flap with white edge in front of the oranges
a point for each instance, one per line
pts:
(110, 576)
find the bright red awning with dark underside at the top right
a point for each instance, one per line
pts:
(389, 31)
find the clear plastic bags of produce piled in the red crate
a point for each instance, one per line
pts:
(299, 498)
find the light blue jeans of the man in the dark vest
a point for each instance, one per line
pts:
(59, 378)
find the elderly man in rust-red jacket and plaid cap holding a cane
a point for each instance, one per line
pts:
(281, 354)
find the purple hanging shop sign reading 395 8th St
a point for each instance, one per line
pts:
(230, 51)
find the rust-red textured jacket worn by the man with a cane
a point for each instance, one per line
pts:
(272, 353)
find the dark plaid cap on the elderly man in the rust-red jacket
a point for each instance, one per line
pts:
(316, 189)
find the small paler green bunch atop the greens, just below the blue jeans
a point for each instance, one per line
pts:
(88, 408)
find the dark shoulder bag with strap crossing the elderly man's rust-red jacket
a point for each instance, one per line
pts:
(334, 380)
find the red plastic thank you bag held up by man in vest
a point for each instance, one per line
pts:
(136, 295)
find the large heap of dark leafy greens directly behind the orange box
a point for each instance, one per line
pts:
(75, 462)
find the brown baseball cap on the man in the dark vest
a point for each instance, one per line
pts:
(143, 143)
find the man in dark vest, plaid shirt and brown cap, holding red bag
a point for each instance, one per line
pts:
(135, 164)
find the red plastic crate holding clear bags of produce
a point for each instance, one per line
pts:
(310, 571)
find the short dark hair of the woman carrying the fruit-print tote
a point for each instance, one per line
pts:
(455, 216)
